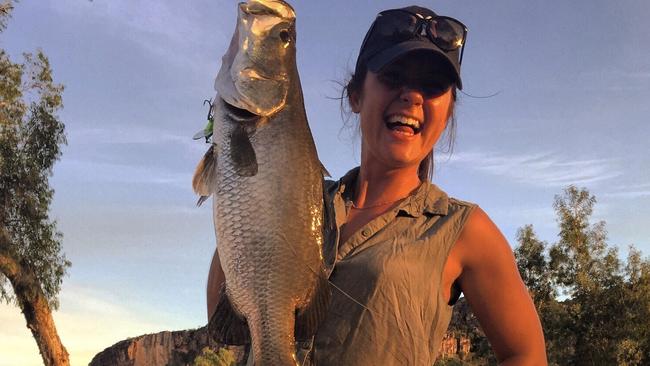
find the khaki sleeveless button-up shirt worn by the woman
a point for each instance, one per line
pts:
(387, 304)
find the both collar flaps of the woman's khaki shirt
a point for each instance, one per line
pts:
(427, 198)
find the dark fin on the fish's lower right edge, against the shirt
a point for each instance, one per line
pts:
(311, 316)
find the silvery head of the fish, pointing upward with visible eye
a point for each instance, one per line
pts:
(256, 70)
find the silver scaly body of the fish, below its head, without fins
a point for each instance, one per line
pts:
(269, 229)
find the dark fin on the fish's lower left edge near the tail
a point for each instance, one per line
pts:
(227, 326)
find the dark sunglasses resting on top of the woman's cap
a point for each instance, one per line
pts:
(399, 25)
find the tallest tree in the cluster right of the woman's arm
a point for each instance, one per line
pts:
(589, 272)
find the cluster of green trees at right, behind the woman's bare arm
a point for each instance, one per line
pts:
(602, 318)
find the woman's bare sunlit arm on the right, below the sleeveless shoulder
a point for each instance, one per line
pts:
(497, 295)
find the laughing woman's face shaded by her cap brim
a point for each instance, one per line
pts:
(403, 111)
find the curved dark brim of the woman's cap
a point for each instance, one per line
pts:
(387, 56)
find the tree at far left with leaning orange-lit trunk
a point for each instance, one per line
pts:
(30, 245)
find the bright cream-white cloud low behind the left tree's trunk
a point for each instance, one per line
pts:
(88, 321)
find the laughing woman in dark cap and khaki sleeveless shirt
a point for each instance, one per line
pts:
(405, 249)
